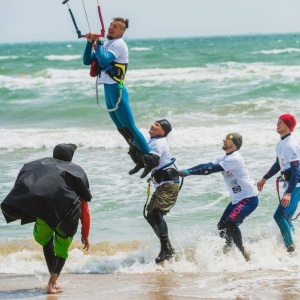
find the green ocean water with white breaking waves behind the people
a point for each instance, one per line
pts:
(206, 87)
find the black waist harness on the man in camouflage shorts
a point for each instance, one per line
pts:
(168, 172)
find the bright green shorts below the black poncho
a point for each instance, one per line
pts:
(43, 233)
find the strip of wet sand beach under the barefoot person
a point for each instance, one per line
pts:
(281, 285)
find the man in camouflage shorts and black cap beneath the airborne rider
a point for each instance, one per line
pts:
(164, 174)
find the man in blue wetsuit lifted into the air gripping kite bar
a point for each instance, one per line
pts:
(112, 60)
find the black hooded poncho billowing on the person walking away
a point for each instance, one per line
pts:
(49, 189)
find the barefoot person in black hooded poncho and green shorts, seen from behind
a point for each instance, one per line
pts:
(53, 193)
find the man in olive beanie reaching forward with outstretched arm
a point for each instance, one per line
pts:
(240, 185)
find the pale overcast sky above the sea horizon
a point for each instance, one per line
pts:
(49, 20)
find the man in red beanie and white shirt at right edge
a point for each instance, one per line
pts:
(287, 160)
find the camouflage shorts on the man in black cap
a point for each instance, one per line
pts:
(164, 197)
